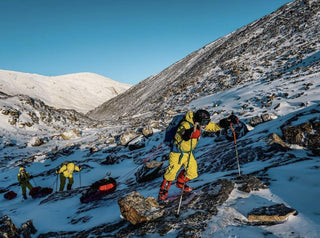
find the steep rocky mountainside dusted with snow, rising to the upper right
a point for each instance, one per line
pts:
(285, 41)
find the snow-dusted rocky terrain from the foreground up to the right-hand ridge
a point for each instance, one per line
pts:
(279, 104)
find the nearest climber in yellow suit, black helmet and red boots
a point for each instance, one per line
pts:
(185, 141)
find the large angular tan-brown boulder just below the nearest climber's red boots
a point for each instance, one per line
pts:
(136, 209)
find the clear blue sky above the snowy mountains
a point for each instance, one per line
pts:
(125, 40)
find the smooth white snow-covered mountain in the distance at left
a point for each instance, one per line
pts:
(81, 91)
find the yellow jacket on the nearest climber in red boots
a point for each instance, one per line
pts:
(189, 145)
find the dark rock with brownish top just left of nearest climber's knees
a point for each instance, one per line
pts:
(149, 171)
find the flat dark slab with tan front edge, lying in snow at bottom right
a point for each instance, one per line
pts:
(270, 215)
